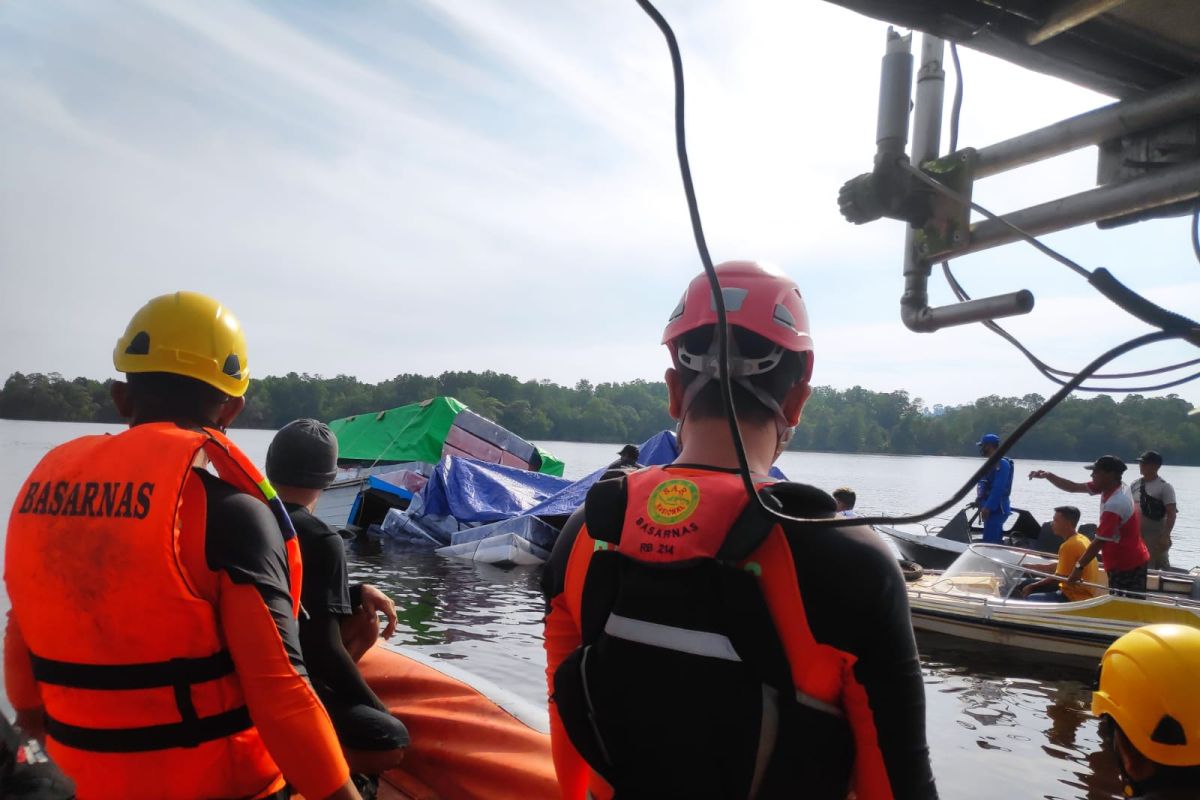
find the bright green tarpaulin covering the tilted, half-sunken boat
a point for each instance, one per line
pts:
(415, 432)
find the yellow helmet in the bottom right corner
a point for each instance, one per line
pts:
(1148, 685)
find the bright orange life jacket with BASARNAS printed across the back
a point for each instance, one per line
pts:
(139, 687)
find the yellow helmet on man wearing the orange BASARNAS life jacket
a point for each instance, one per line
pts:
(187, 334)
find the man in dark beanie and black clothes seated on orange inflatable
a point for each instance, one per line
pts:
(339, 623)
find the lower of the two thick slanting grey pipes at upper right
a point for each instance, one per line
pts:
(1150, 191)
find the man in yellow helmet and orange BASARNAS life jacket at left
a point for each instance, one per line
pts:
(153, 636)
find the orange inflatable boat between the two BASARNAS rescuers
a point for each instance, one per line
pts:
(472, 741)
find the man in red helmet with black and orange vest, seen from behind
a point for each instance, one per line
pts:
(698, 646)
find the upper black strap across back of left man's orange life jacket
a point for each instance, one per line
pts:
(129, 677)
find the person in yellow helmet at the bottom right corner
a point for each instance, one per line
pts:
(1150, 711)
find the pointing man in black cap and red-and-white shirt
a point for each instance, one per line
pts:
(1119, 536)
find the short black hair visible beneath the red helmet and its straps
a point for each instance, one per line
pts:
(777, 383)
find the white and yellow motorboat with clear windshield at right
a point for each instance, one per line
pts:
(973, 600)
